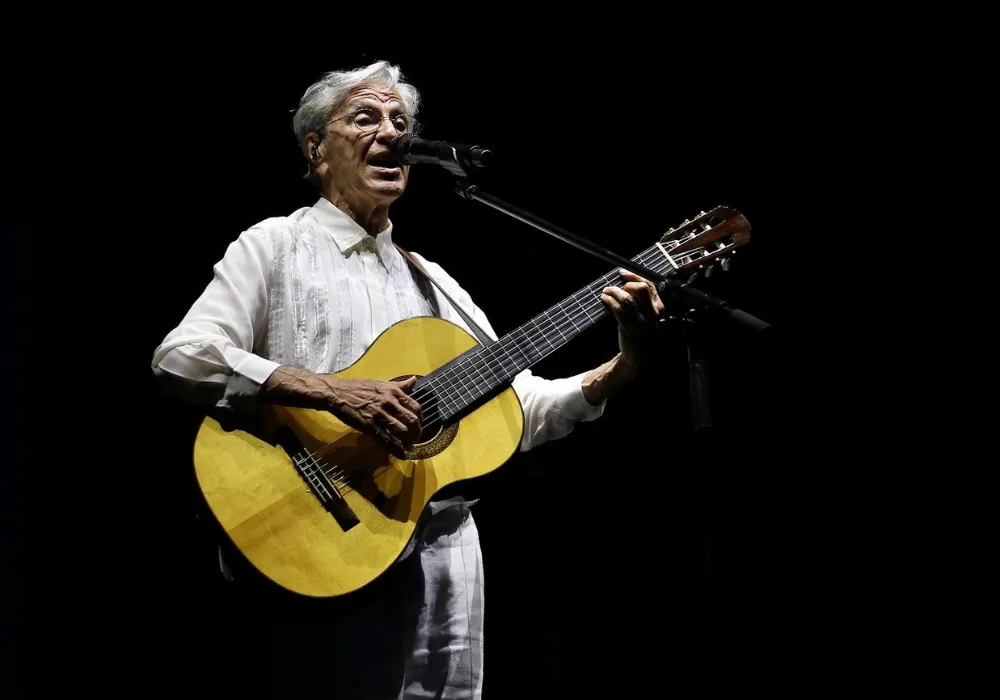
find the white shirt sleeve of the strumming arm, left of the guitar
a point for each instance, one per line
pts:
(209, 357)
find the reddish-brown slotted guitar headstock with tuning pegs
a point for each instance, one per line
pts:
(710, 238)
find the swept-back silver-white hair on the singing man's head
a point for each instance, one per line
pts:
(326, 94)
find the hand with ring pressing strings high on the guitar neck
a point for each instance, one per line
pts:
(637, 307)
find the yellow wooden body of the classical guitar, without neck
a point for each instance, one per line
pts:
(265, 495)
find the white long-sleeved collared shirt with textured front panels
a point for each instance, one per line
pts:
(313, 290)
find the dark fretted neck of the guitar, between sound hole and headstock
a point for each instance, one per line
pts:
(484, 370)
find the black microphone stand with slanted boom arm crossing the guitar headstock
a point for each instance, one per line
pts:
(698, 305)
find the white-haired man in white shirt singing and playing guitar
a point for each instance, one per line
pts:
(296, 298)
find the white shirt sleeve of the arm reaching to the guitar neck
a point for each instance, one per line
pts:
(552, 407)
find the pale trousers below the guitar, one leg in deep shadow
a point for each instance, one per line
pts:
(421, 636)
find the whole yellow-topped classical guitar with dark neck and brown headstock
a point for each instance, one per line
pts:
(322, 510)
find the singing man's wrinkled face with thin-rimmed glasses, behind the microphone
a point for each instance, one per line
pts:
(361, 166)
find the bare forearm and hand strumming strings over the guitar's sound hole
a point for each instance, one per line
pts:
(382, 409)
